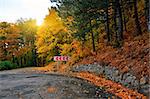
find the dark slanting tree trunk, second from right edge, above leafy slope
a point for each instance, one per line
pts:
(137, 22)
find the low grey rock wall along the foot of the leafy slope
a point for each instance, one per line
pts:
(127, 79)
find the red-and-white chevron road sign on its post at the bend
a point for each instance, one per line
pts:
(58, 59)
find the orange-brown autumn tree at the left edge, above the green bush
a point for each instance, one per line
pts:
(9, 40)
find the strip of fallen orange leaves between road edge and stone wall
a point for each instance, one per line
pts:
(110, 86)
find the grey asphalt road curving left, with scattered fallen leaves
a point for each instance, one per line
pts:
(21, 85)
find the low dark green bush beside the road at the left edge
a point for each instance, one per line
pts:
(6, 65)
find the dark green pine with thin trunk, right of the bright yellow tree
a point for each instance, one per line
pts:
(86, 17)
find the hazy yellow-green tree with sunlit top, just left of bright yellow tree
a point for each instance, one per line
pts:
(28, 31)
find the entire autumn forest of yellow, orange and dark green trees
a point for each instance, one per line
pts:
(74, 28)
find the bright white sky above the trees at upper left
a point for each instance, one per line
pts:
(12, 10)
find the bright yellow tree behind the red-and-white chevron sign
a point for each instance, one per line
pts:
(51, 36)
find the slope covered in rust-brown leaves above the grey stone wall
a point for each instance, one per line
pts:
(132, 57)
